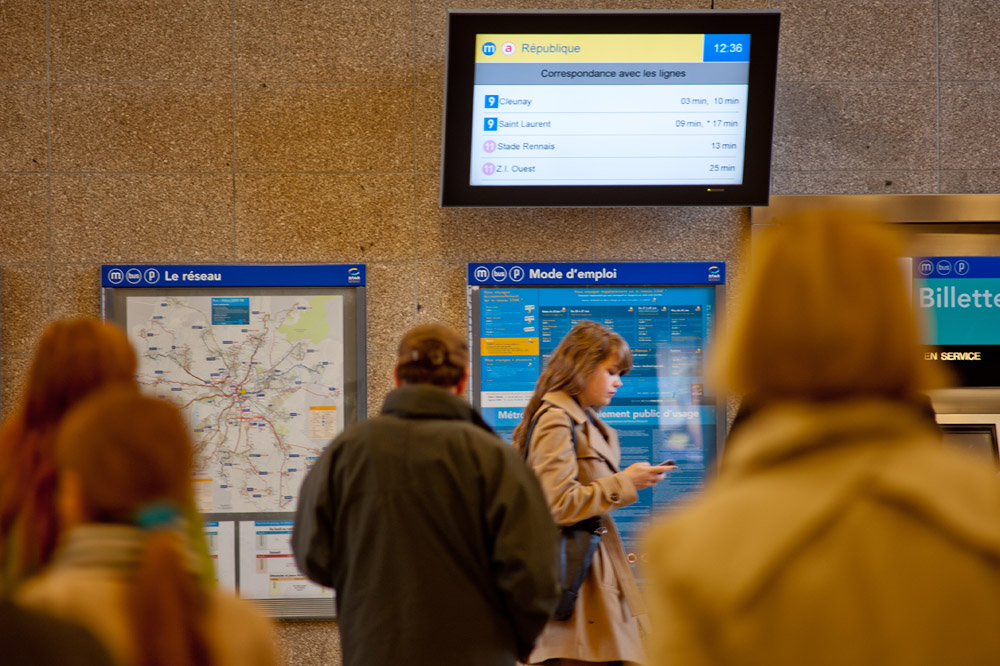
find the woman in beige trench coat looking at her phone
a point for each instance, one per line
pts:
(581, 377)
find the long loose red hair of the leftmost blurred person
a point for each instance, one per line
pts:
(72, 359)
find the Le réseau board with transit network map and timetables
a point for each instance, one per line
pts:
(267, 365)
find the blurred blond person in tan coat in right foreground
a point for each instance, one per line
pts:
(839, 529)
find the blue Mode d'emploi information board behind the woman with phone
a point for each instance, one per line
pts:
(666, 312)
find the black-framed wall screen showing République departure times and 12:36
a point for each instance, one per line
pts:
(608, 108)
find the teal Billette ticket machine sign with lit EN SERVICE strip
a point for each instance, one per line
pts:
(959, 300)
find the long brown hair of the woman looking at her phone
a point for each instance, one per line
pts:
(585, 347)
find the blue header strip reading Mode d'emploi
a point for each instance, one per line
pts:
(572, 273)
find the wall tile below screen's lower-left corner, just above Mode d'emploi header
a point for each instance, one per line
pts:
(499, 234)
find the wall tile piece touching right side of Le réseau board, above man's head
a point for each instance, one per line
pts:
(391, 297)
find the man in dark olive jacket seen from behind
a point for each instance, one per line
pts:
(432, 531)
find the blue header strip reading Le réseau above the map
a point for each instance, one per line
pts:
(233, 275)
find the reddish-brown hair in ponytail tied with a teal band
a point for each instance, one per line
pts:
(132, 457)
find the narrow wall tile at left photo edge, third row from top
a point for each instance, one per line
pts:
(24, 218)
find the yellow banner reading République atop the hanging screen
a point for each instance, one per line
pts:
(501, 48)
